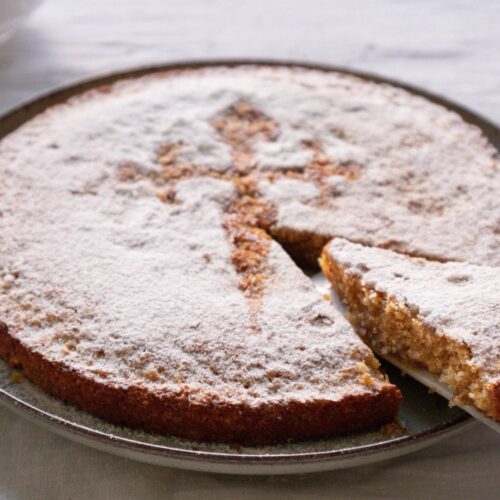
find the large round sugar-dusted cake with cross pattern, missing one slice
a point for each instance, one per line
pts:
(151, 234)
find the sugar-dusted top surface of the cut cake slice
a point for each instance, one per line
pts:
(458, 300)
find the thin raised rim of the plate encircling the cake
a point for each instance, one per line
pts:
(20, 113)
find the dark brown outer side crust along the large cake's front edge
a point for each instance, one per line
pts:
(175, 414)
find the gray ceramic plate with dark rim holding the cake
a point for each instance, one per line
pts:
(426, 417)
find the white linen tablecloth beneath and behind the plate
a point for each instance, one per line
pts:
(450, 47)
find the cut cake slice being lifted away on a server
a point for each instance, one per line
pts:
(444, 316)
